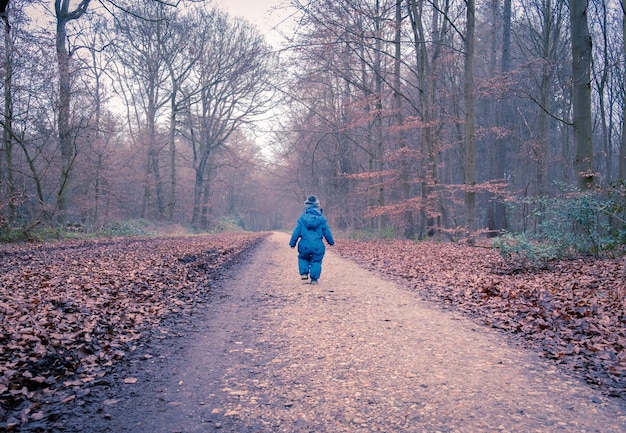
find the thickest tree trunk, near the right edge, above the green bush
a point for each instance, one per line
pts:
(581, 95)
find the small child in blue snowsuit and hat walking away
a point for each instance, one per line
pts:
(310, 229)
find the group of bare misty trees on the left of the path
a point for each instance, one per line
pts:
(118, 129)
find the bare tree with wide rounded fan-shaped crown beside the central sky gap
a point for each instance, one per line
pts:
(234, 87)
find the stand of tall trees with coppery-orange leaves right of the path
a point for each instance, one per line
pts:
(421, 143)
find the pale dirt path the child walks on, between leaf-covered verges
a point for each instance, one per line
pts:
(352, 354)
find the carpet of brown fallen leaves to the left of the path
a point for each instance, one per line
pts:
(69, 311)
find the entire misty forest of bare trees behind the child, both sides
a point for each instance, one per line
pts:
(408, 118)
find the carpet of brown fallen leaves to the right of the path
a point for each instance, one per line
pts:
(574, 313)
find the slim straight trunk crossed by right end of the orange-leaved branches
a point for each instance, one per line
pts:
(470, 119)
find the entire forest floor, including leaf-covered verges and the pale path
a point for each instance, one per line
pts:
(218, 333)
